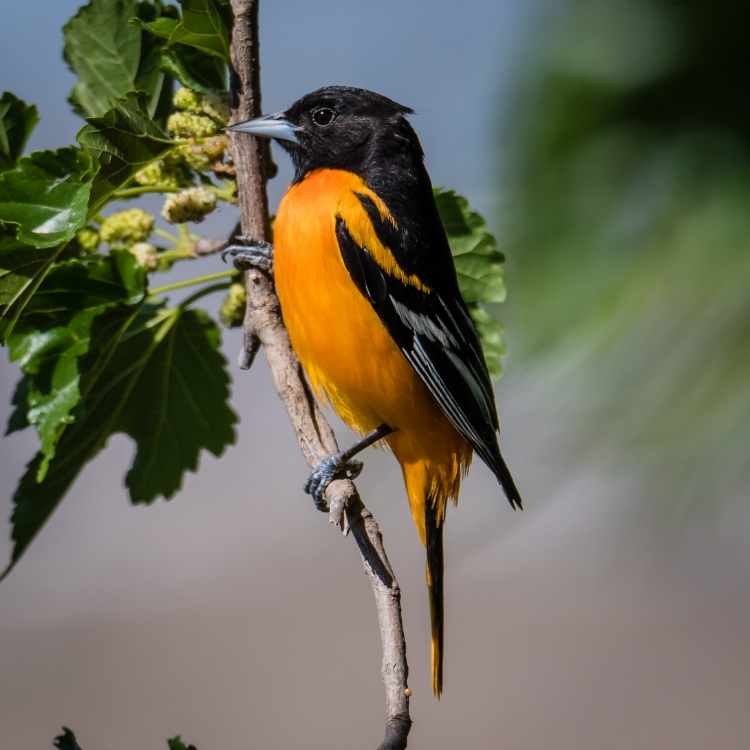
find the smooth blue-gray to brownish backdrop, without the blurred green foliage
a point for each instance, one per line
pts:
(235, 616)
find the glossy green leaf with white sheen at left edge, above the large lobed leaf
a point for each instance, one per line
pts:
(46, 196)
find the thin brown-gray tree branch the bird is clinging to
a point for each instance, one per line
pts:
(263, 326)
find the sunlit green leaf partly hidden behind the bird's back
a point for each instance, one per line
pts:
(479, 267)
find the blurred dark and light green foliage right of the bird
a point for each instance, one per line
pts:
(629, 231)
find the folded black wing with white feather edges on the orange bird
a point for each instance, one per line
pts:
(434, 331)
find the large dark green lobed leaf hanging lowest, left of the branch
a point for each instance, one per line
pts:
(155, 374)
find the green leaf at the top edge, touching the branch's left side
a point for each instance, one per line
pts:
(203, 25)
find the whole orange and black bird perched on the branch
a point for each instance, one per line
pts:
(369, 296)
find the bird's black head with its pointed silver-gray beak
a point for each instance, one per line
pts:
(339, 127)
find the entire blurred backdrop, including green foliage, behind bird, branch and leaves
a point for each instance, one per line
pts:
(608, 144)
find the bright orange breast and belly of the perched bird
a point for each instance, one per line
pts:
(349, 356)
